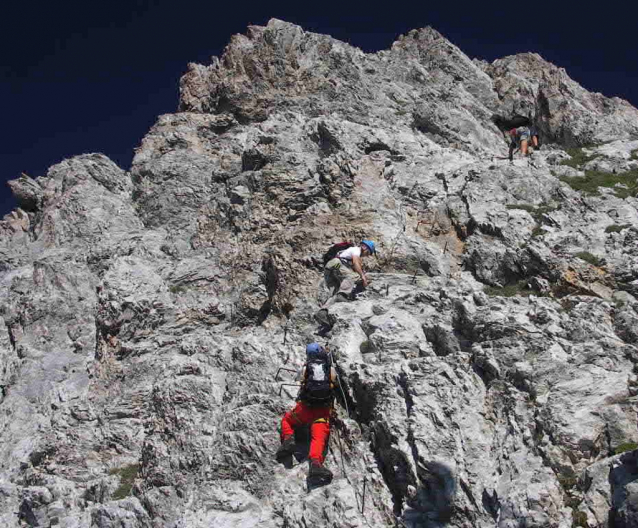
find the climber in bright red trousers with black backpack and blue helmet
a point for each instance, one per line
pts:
(314, 406)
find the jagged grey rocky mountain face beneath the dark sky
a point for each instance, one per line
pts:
(488, 371)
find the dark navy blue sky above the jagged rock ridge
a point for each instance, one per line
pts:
(93, 76)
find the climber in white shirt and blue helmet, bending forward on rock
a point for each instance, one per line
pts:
(343, 270)
